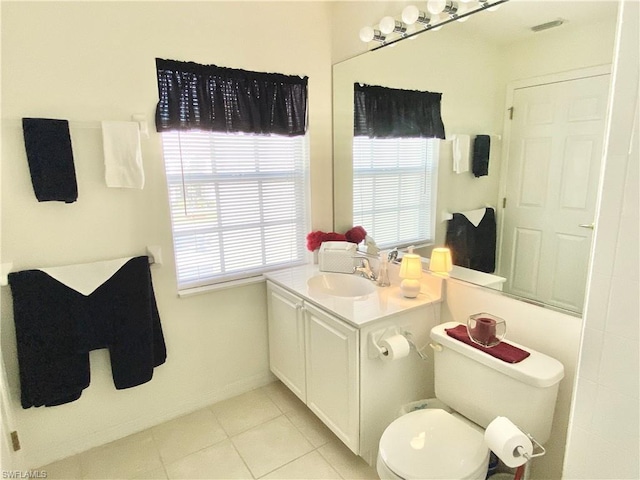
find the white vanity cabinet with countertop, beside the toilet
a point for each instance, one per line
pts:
(324, 348)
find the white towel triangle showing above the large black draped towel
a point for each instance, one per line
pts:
(86, 277)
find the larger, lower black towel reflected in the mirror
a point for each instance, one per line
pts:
(473, 247)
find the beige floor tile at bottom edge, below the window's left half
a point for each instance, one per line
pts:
(220, 461)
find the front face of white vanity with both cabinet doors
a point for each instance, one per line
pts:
(316, 355)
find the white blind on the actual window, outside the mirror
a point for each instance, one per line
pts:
(238, 203)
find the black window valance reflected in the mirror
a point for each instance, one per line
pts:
(381, 112)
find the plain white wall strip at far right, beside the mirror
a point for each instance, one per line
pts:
(604, 434)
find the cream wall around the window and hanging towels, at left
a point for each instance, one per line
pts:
(92, 61)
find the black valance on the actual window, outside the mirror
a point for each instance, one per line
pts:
(212, 98)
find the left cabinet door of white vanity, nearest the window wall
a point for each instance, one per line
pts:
(286, 339)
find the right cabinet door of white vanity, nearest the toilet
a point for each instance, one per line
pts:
(333, 374)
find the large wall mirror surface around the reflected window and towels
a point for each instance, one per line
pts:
(545, 161)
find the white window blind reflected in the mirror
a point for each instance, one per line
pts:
(394, 189)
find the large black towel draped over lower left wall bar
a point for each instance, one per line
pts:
(56, 327)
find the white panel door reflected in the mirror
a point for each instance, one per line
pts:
(554, 160)
